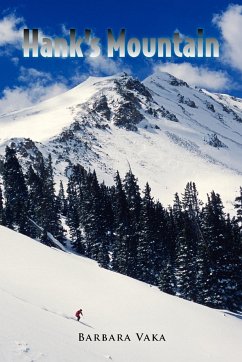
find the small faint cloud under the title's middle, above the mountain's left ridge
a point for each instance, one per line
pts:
(105, 65)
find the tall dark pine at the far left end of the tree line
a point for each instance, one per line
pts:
(16, 194)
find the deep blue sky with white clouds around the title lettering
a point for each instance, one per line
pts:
(25, 81)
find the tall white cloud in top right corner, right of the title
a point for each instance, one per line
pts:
(230, 25)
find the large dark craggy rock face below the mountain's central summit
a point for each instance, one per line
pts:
(124, 103)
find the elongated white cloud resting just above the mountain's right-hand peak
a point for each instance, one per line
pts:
(197, 76)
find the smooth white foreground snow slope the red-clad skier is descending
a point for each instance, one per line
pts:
(41, 288)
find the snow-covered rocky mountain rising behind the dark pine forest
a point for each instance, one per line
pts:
(168, 132)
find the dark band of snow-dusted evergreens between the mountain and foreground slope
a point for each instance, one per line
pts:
(190, 249)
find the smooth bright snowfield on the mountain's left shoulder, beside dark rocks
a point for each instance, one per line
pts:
(49, 117)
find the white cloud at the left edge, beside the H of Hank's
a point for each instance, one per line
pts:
(11, 30)
